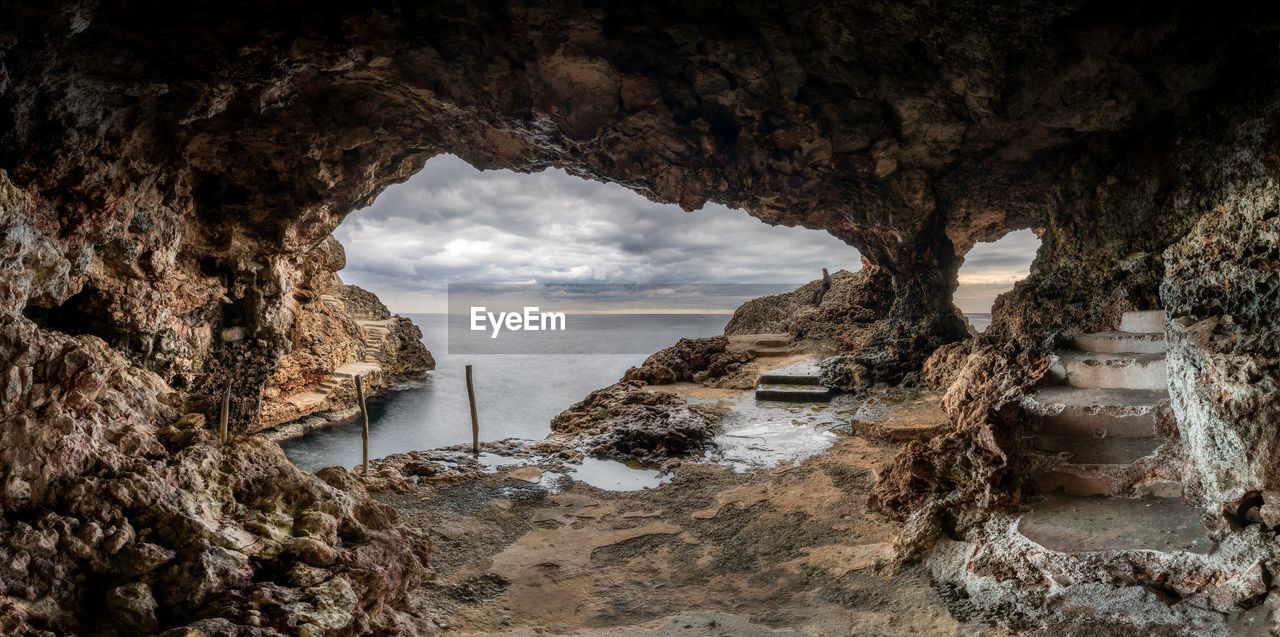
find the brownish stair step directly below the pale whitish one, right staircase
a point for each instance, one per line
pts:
(1067, 411)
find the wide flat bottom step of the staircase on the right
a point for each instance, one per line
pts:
(1086, 525)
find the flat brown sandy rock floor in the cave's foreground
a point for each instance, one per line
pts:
(787, 551)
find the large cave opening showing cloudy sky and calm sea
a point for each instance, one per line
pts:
(456, 224)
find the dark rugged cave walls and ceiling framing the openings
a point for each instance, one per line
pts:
(173, 173)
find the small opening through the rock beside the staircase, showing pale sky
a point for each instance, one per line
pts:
(990, 271)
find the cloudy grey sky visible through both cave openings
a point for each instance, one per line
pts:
(455, 224)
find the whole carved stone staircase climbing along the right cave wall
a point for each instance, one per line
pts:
(1095, 437)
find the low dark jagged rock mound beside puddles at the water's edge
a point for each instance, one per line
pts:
(628, 421)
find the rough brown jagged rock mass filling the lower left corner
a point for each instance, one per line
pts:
(125, 519)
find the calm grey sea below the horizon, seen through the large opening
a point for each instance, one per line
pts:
(516, 396)
